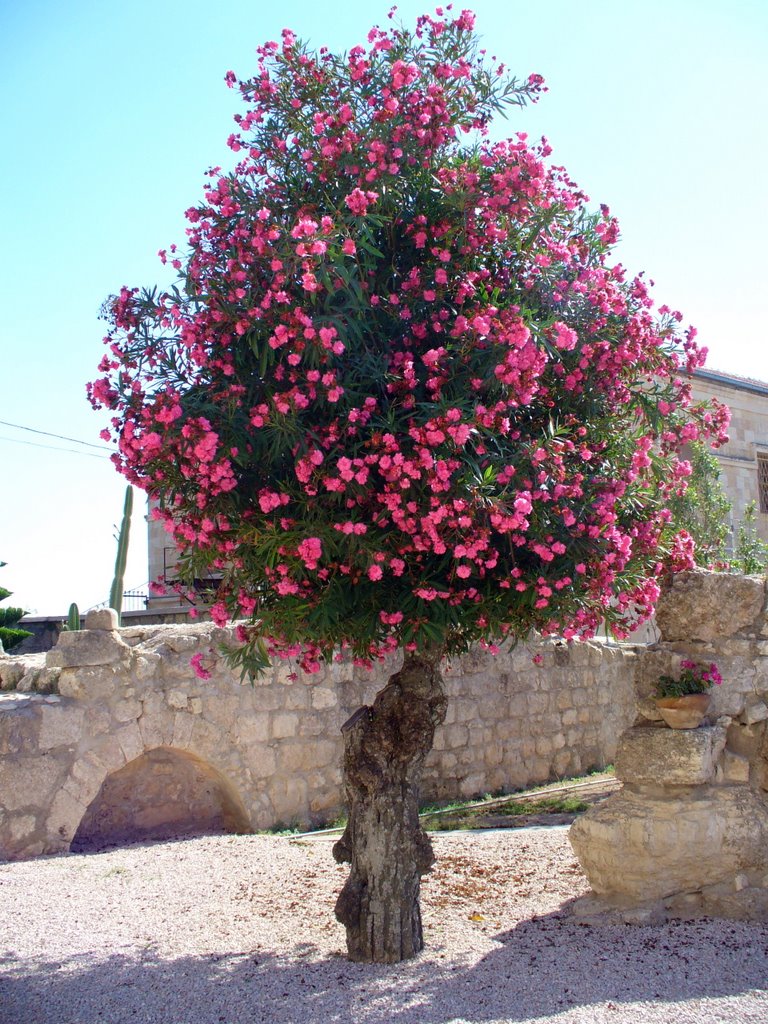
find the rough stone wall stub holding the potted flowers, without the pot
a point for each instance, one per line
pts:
(689, 834)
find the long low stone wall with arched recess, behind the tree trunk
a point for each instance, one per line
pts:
(112, 735)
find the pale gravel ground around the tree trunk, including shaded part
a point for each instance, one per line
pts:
(229, 930)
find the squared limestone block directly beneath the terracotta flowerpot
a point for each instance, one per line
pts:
(650, 756)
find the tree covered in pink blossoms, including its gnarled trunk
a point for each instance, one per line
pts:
(401, 400)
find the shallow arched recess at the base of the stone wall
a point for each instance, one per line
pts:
(163, 794)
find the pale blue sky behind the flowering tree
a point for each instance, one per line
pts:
(112, 113)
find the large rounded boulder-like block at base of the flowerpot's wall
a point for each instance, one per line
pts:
(635, 848)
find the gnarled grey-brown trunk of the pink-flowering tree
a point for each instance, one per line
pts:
(385, 751)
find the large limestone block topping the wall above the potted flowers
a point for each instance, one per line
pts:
(702, 606)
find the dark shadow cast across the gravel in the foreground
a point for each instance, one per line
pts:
(550, 967)
